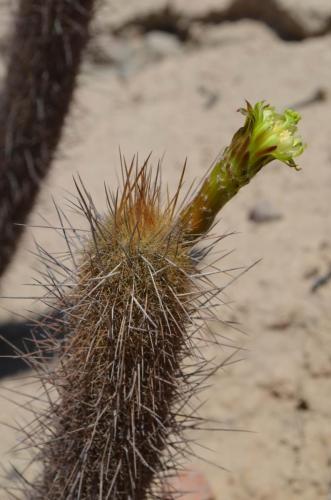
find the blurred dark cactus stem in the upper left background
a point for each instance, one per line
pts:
(46, 51)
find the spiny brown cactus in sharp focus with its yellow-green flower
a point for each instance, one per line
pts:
(134, 299)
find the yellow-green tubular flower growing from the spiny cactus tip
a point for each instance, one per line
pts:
(265, 136)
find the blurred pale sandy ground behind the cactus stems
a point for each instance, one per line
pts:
(173, 89)
